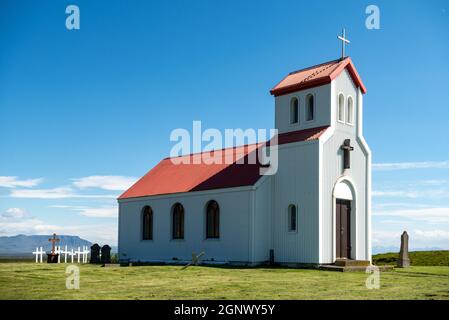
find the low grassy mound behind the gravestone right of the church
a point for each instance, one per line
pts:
(417, 258)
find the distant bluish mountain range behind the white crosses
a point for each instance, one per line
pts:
(25, 245)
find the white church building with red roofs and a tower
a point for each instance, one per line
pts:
(313, 211)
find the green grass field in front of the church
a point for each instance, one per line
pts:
(45, 281)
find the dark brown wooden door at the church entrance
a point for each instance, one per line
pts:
(343, 226)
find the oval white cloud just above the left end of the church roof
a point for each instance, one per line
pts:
(112, 183)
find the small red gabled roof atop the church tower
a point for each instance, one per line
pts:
(316, 76)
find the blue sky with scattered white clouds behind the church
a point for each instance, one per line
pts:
(85, 112)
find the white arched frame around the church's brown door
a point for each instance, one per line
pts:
(354, 232)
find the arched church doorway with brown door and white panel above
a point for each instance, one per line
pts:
(344, 218)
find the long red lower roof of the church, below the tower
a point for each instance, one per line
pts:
(168, 177)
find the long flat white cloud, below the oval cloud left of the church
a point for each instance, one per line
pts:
(55, 193)
